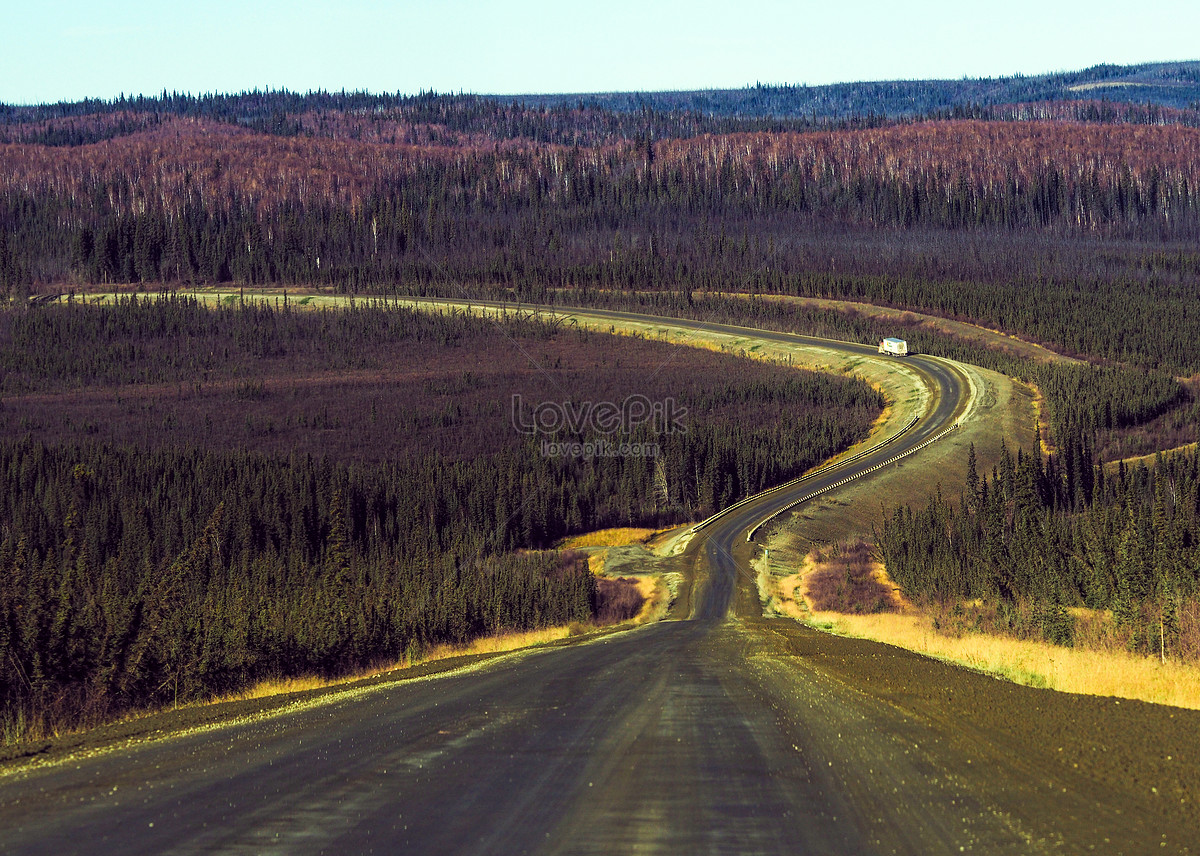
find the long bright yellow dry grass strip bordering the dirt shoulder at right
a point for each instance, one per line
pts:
(1036, 665)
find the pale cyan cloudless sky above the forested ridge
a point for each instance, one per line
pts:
(70, 50)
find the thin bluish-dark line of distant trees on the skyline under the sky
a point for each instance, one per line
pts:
(1168, 87)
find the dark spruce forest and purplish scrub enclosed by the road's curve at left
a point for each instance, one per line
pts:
(203, 552)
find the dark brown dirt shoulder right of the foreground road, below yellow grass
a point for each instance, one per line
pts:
(1127, 753)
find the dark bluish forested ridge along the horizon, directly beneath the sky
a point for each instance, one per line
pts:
(1150, 94)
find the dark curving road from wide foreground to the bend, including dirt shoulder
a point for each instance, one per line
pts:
(713, 733)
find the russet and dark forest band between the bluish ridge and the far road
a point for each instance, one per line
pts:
(193, 201)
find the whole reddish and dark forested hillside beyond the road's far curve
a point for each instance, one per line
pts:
(1028, 219)
